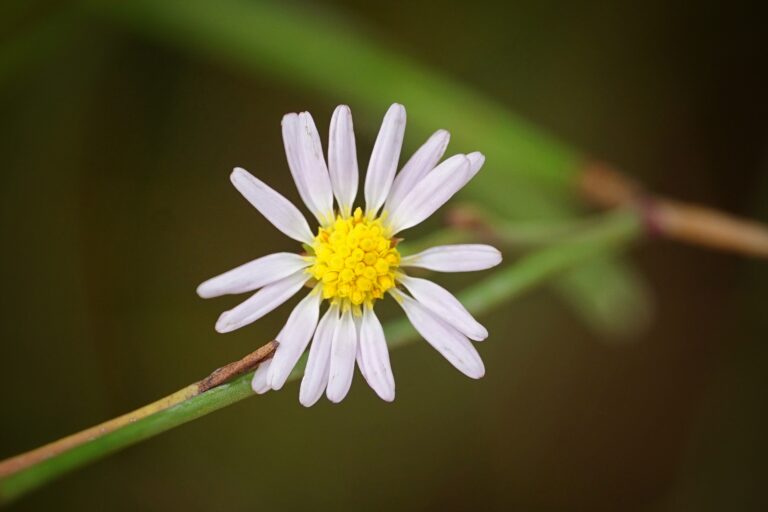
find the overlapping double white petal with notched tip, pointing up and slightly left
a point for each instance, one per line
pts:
(305, 159)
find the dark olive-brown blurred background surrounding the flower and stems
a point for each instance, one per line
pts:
(117, 140)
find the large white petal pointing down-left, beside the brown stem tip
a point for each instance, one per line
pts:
(294, 338)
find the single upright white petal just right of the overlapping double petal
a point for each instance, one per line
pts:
(342, 159)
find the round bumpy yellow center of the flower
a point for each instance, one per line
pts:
(355, 260)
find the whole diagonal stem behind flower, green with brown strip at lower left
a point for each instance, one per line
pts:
(18, 475)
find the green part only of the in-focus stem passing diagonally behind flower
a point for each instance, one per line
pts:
(614, 232)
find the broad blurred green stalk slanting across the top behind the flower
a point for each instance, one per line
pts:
(315, 49)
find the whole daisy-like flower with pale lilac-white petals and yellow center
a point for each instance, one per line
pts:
(352, 261)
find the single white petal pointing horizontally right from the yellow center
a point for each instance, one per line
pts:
(455, 258)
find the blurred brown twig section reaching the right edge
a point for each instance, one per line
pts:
(689, 223)
